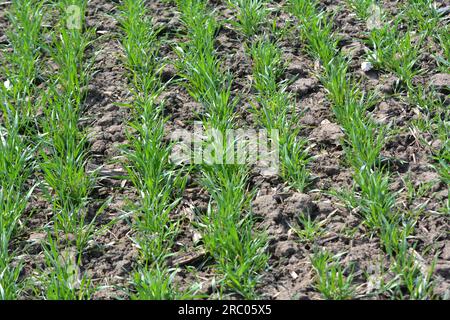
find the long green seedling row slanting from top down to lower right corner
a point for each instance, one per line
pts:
(364, 142)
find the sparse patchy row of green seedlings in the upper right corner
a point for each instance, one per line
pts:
(397, 45)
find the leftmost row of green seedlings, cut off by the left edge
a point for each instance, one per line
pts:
(20, 68)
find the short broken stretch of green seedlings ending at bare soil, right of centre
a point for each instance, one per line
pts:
(276, 111)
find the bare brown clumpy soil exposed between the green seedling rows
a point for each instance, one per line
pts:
(112, 256)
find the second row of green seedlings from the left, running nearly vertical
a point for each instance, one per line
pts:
(64, 154)
